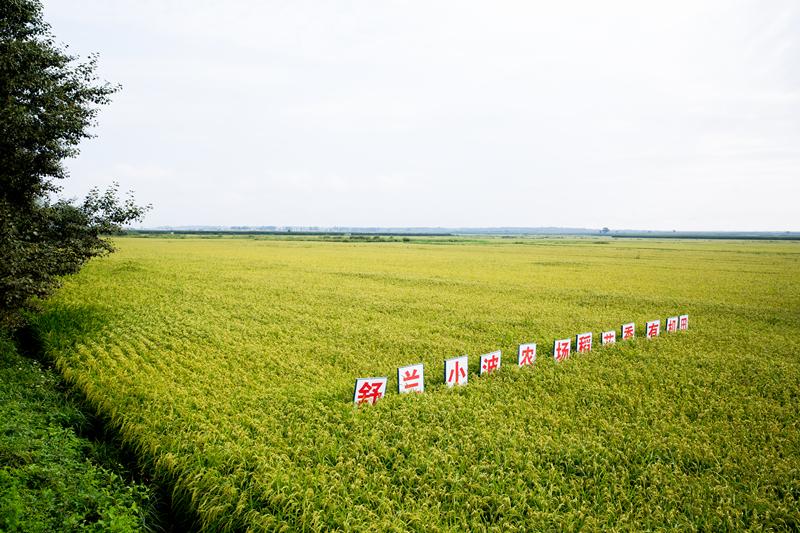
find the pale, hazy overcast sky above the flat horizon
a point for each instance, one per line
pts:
(679, 115)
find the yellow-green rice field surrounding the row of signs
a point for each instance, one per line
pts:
(229, 364)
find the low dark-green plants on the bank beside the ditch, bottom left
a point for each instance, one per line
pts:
(46, 481)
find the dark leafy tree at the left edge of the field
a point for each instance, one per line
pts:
(48, 103)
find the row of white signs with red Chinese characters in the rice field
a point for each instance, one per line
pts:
(412, 378)
